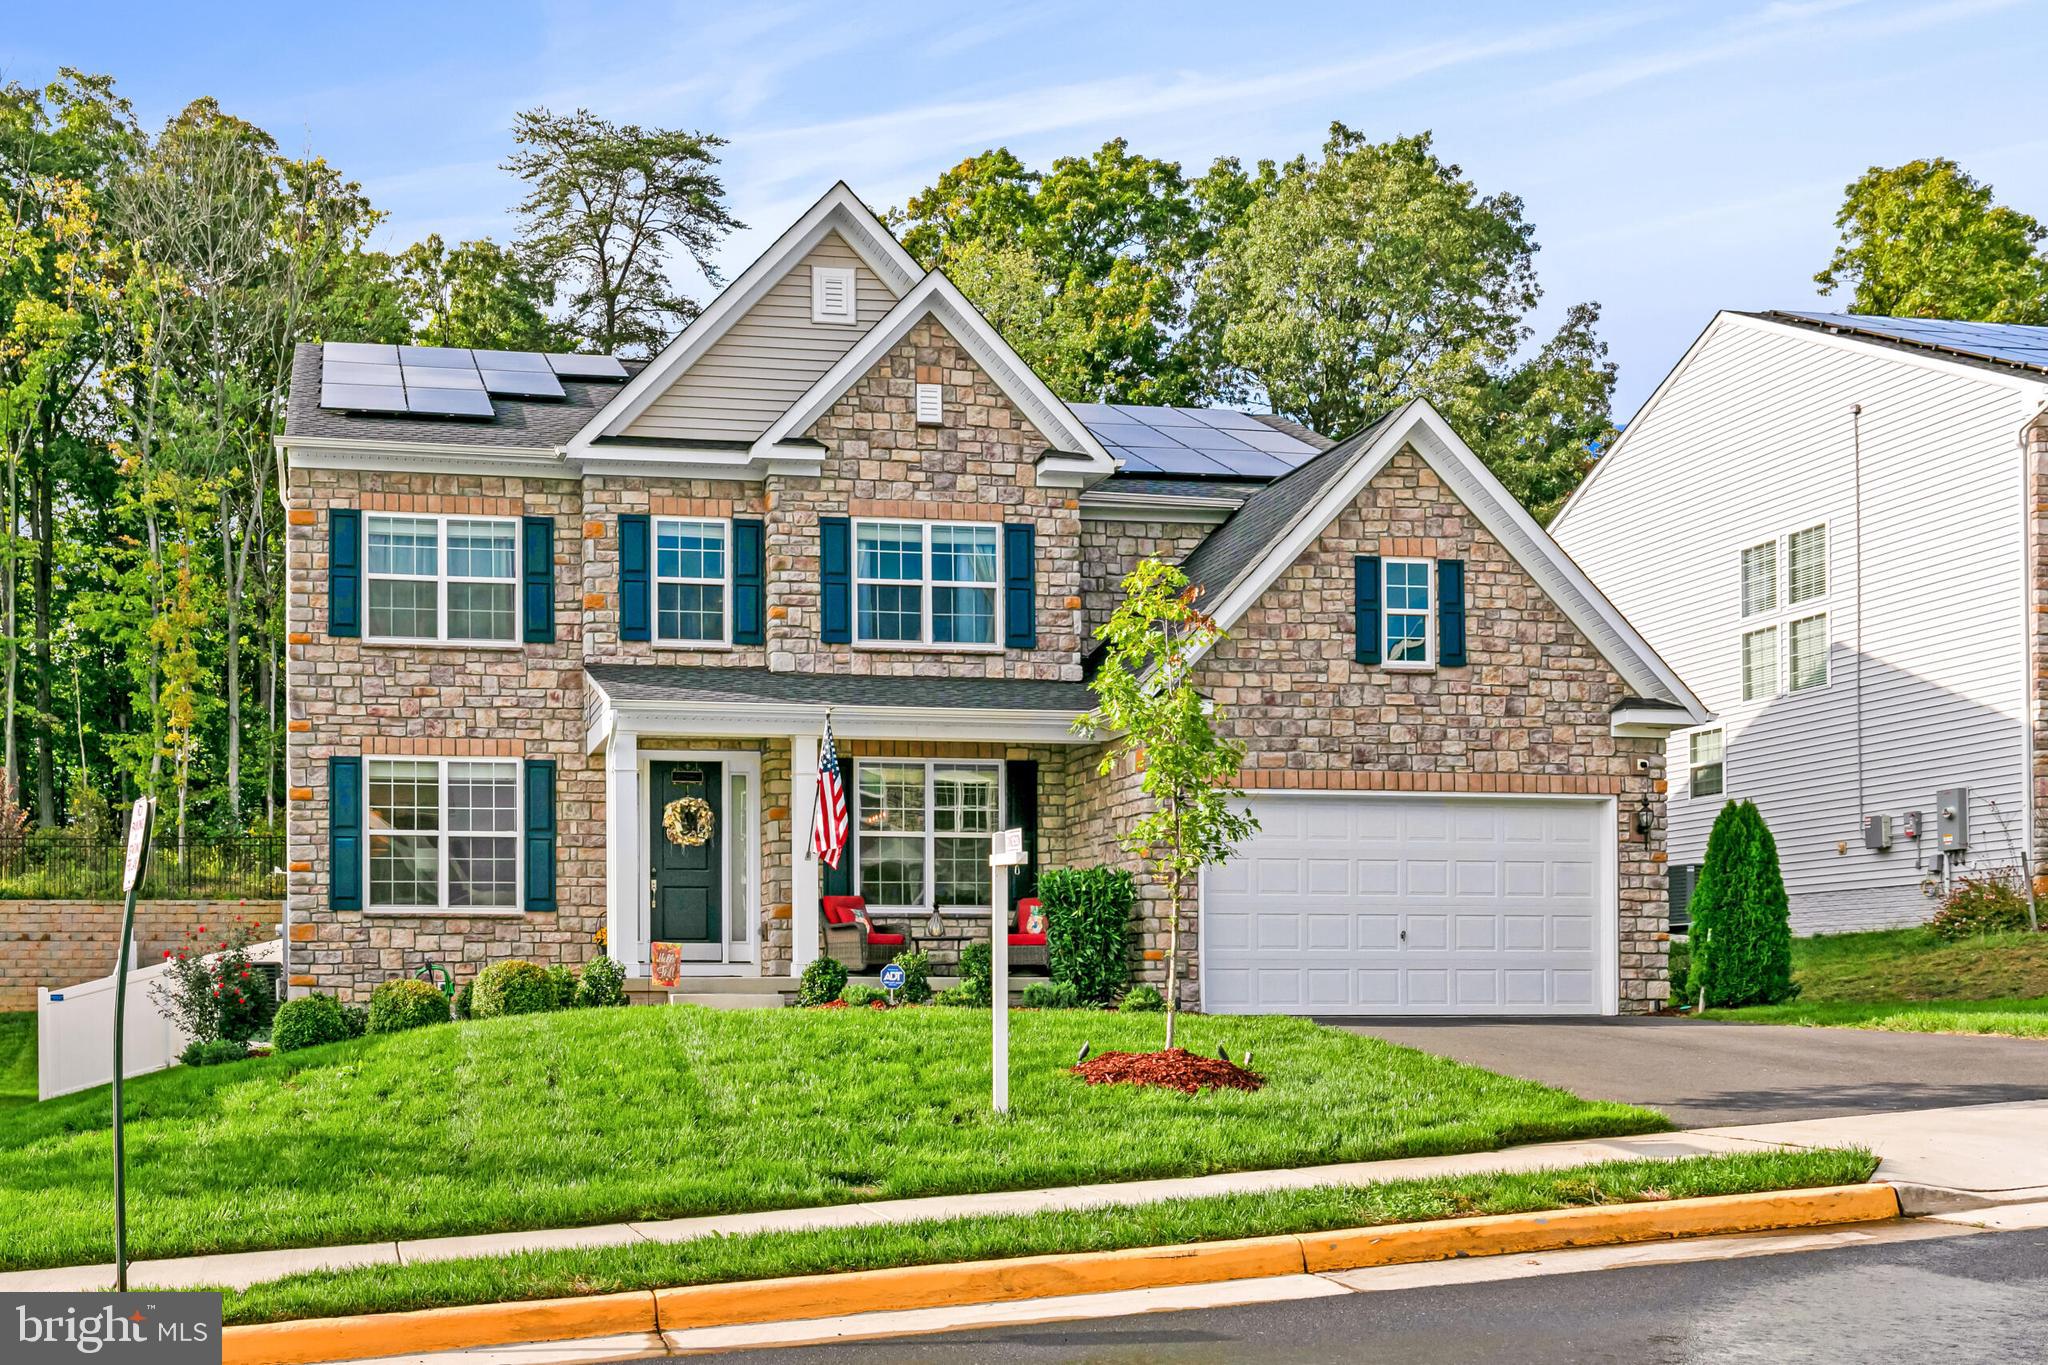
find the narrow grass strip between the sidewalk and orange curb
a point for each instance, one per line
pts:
(765, 1256)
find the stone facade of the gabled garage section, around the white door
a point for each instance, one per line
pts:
(1527, 715)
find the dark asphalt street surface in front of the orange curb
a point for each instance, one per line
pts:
(1971, 1298)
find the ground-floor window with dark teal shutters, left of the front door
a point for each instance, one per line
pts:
(443, 834)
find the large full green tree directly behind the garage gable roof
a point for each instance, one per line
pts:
(1375, 275)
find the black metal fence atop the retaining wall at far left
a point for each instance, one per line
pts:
(216, 869)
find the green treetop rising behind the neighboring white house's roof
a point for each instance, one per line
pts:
(1926, 240)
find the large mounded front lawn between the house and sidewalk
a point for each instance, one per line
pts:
(593, 1116)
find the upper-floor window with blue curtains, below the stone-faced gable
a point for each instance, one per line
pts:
(927, 584)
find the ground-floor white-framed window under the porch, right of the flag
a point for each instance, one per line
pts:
(923, 834)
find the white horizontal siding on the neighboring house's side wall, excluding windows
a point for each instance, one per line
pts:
(1754, 441)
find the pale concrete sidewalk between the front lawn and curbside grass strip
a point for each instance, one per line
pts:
(1986, 1153)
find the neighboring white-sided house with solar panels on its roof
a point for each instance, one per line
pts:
(1828, 527)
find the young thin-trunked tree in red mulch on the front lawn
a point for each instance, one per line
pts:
(1158, 721)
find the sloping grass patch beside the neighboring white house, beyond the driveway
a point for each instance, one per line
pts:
(1914, 983)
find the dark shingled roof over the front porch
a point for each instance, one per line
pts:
(724, 687)
